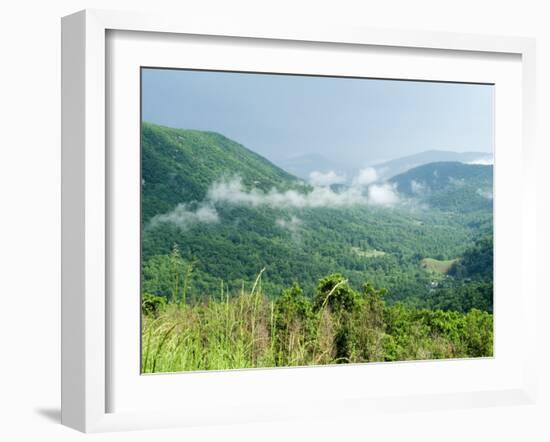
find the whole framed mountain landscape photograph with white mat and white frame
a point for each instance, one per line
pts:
(262, 222)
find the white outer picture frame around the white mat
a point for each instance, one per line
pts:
(86, 205)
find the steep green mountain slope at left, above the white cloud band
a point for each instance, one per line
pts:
(178, 165)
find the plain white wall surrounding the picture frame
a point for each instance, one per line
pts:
(29, 183)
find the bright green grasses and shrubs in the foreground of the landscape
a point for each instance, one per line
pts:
(338, 324)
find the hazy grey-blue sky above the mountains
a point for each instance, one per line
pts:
(353, 121)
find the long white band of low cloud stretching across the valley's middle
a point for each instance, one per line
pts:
(234, 192)
